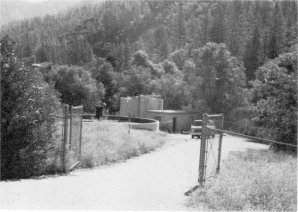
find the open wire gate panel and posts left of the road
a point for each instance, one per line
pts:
(69, 136)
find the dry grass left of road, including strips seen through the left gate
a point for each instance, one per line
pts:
(105, 142)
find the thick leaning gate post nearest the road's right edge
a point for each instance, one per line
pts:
(203, 150)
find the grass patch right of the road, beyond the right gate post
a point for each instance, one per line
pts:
(254, 180)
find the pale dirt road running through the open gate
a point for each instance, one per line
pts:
(153, 181)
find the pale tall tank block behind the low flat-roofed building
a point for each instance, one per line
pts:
(137, 106)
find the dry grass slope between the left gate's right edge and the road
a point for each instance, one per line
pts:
(109, 141)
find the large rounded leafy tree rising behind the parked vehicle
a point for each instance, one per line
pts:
(218, 79)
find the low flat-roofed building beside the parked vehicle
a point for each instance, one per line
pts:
(174, 120)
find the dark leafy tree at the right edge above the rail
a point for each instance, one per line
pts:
(275, 96)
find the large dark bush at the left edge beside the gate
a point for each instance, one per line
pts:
(27, 124)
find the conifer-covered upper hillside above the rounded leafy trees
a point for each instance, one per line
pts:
(253, 31)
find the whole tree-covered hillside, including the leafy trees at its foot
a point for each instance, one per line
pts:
(198, 55)
